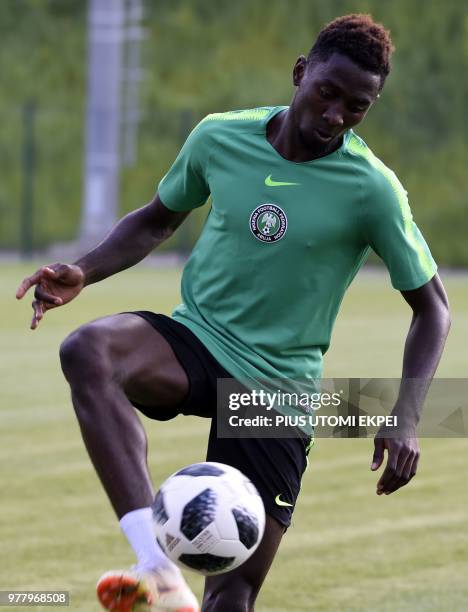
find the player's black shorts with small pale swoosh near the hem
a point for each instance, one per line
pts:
(274, 465)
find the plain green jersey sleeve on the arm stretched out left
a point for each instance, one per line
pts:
(185, 186)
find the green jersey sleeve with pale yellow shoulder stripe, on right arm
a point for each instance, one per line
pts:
(394, 236)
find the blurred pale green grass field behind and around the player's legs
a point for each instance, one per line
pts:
(348, 549)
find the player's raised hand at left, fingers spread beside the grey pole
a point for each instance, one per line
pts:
(56, 285)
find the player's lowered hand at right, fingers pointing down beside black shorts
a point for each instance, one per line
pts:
(402, 462)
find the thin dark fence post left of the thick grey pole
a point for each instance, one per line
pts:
(28, 166)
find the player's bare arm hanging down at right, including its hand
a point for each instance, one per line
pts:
(423, 349)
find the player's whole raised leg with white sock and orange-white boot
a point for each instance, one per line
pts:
(107, 362)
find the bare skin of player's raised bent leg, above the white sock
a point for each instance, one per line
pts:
(106, 362)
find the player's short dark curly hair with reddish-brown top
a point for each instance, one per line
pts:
(358, 37)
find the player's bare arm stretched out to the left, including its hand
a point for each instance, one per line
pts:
(130, 241)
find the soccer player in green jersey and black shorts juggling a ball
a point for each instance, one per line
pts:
(297, 193)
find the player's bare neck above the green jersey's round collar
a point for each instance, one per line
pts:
(284, 136)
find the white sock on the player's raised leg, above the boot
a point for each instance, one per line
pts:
(138, 527)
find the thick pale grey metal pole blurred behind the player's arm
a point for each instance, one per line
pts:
(102, 160)
